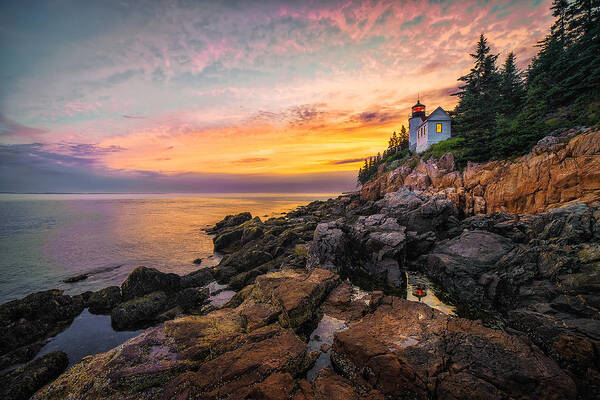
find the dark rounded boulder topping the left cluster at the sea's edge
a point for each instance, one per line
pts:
(143, 280)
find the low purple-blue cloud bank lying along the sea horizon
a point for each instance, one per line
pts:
(28, 168)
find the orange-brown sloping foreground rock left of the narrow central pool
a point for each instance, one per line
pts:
(224, 354)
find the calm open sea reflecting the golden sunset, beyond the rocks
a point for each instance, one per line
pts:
(45, 238)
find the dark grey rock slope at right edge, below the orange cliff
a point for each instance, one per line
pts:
(542, 272)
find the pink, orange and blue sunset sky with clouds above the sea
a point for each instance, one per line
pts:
(229, 96)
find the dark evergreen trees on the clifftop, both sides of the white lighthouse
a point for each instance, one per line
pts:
(503, 111)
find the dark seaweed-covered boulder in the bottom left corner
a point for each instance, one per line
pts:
(23, 382)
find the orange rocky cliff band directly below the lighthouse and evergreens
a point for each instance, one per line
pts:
(560, 170)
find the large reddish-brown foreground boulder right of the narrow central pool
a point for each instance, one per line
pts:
(407, 350)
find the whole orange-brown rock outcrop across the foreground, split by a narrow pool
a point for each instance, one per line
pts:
(254, 349)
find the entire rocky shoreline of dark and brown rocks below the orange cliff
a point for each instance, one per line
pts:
(320, 310)
